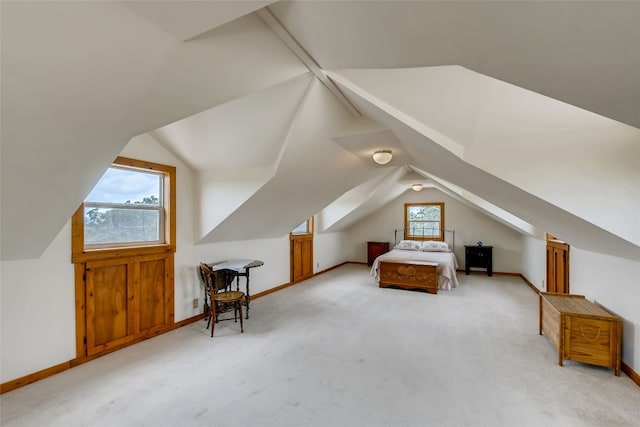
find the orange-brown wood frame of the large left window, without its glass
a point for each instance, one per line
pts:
(80, 253)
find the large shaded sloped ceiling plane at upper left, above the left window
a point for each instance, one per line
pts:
(74, 92)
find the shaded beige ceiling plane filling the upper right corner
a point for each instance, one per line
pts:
(582, 53)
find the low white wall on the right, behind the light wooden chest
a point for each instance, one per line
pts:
(609, 281)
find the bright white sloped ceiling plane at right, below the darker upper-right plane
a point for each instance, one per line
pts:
(516, 185)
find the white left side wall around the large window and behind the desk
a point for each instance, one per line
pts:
(38, 298)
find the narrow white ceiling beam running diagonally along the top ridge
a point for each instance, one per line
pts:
(284, 35)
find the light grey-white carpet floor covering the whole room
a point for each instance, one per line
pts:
(336, 350)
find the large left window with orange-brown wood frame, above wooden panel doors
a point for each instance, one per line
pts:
(132, 205)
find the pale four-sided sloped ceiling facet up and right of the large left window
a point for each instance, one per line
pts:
(254, 126)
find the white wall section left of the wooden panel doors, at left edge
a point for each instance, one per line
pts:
(38, 310)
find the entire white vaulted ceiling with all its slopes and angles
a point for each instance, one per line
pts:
(528, 111)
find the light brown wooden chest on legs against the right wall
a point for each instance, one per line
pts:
(581, 330)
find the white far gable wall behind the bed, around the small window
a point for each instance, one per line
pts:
(470, 226)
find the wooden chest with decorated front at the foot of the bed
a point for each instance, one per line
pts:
(407, 275)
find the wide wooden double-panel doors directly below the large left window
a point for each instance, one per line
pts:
(127, 299)
